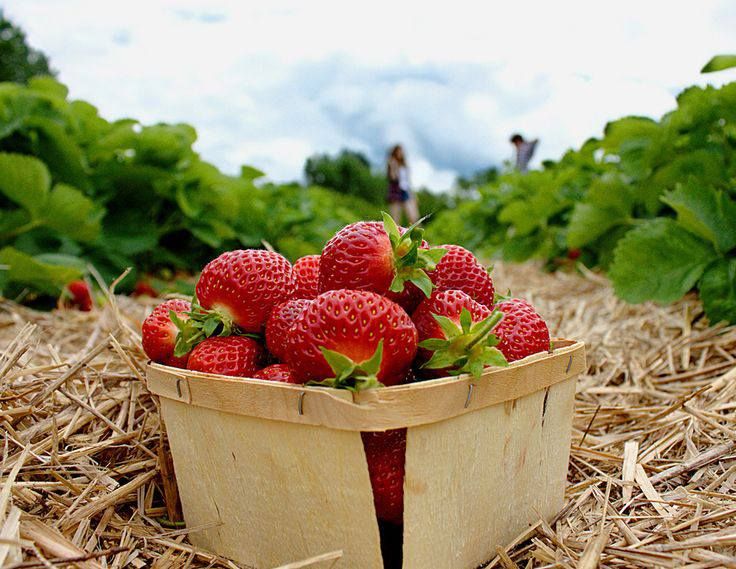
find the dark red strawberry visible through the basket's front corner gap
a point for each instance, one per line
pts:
(385, 453)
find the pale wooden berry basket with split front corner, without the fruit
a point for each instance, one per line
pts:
(271, 473)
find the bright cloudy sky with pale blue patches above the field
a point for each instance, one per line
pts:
(269, 83)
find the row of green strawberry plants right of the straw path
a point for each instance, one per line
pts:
(652, 202)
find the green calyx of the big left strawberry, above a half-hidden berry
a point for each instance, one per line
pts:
(200, 324)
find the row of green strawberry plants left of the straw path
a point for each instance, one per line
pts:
(121, 194)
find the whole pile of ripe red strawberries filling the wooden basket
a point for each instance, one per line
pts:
(378, 307)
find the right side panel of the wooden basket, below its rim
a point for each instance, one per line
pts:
(475, 481)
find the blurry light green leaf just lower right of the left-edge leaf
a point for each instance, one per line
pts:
(71, 213)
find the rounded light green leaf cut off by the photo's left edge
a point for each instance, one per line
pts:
(25, 181)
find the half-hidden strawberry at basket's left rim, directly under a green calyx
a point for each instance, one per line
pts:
(230, 355)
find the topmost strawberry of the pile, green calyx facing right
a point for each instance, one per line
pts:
(377, 257)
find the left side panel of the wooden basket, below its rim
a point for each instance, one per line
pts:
(272, 492)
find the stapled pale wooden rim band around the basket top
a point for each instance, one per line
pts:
(373, 410)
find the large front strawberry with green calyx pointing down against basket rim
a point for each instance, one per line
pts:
(355, 338)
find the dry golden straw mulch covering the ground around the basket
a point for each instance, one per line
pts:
(87, 480)
